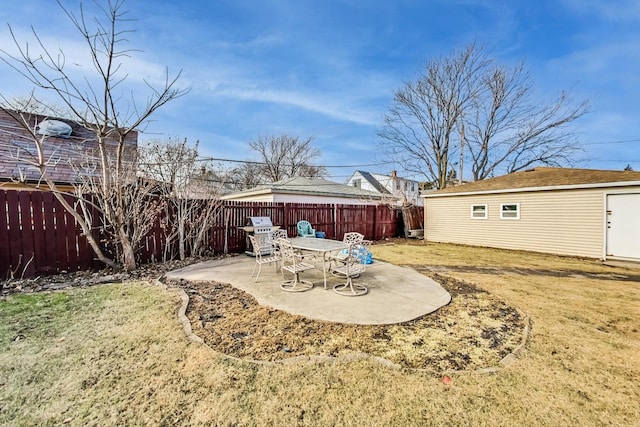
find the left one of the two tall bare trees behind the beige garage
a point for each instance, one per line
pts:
(419, 126)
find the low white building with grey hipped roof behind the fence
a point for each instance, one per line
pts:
(308, 190)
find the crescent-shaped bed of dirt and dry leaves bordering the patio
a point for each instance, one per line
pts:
(476, 330)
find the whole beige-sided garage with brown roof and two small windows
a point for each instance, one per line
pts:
(583, 212)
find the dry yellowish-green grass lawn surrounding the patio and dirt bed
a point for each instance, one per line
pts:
(116, 355)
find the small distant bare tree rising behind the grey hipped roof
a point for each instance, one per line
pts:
(283, 157)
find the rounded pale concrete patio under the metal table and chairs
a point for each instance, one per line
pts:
(396, 294)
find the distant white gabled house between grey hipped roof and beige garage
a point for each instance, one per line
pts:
(402, 190)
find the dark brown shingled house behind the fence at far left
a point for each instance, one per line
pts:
(69, 149)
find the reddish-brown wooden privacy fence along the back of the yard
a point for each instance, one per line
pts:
(38, 236)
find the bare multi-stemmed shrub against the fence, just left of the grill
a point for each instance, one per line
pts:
(192, 191)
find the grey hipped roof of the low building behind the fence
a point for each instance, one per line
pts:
(306, 186)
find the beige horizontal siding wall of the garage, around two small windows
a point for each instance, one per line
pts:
(568, 222)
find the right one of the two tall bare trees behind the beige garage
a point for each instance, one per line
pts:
(508, 128)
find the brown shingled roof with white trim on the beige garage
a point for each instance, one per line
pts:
(544, 178)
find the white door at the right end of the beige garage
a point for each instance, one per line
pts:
(623, 226)
